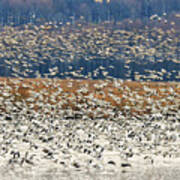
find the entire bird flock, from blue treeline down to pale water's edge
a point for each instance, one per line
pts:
(98, 125)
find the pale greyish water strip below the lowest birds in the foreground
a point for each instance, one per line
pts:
(164, 173)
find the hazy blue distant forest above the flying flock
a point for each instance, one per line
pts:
(17, 12)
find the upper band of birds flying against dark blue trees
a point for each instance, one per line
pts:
(86, 51)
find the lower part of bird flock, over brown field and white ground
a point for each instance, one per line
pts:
(78, 125)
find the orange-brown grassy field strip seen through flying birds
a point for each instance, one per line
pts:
(131, 94)
